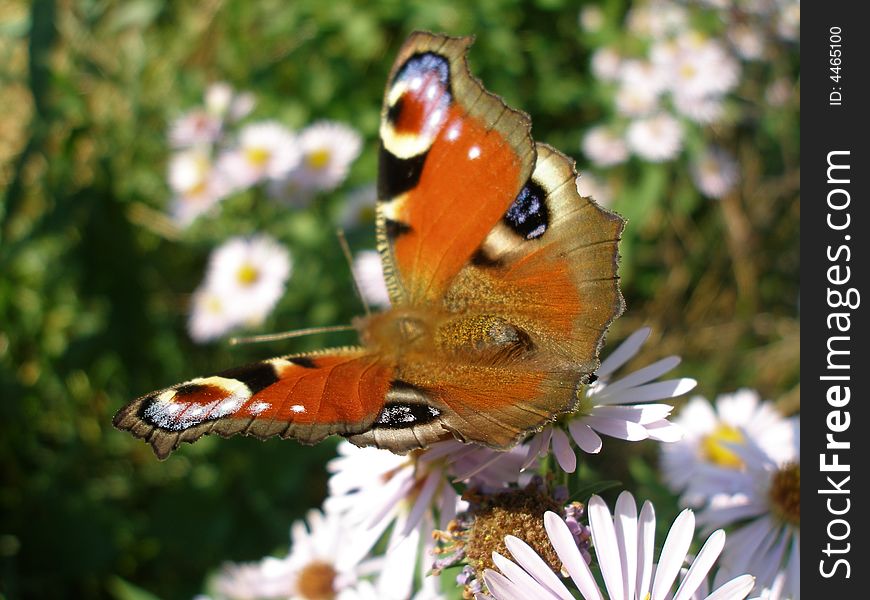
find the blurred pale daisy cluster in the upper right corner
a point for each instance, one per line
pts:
(672, 79)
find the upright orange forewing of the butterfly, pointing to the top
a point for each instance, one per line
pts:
(453, 158)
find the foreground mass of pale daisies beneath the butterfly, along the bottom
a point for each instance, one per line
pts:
(461, 520)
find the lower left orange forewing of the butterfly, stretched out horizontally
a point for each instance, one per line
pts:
(305, 397)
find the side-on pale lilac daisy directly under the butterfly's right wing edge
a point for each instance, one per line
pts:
(620, 408)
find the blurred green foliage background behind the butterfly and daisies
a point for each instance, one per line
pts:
(94, 293)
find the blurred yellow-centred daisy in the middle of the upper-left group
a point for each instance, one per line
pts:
(266, 150)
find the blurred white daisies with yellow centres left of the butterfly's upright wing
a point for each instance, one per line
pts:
(217, 153)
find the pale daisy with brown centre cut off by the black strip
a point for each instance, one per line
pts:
(766, 509)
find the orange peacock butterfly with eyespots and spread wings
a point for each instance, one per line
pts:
(502, 278)
